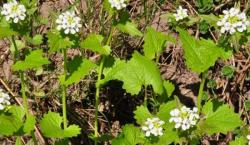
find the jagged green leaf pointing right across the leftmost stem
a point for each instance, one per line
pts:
(33, 60)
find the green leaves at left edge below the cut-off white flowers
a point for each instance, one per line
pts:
(13, 123)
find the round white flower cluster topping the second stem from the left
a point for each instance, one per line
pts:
(68, 22)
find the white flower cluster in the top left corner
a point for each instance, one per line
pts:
(13, 10)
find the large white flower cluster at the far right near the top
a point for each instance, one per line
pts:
(232, 21)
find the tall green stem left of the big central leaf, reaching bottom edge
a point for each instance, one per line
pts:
(98, 86)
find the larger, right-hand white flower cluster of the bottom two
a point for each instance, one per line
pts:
(184, 117)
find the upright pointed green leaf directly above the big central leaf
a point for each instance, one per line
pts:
(154, 43)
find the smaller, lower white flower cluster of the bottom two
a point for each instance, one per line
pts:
(153, 126)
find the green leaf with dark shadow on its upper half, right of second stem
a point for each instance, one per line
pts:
(79, 68)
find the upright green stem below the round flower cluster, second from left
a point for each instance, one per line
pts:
(64, 91)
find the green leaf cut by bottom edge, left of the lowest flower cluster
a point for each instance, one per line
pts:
(130, 136)
